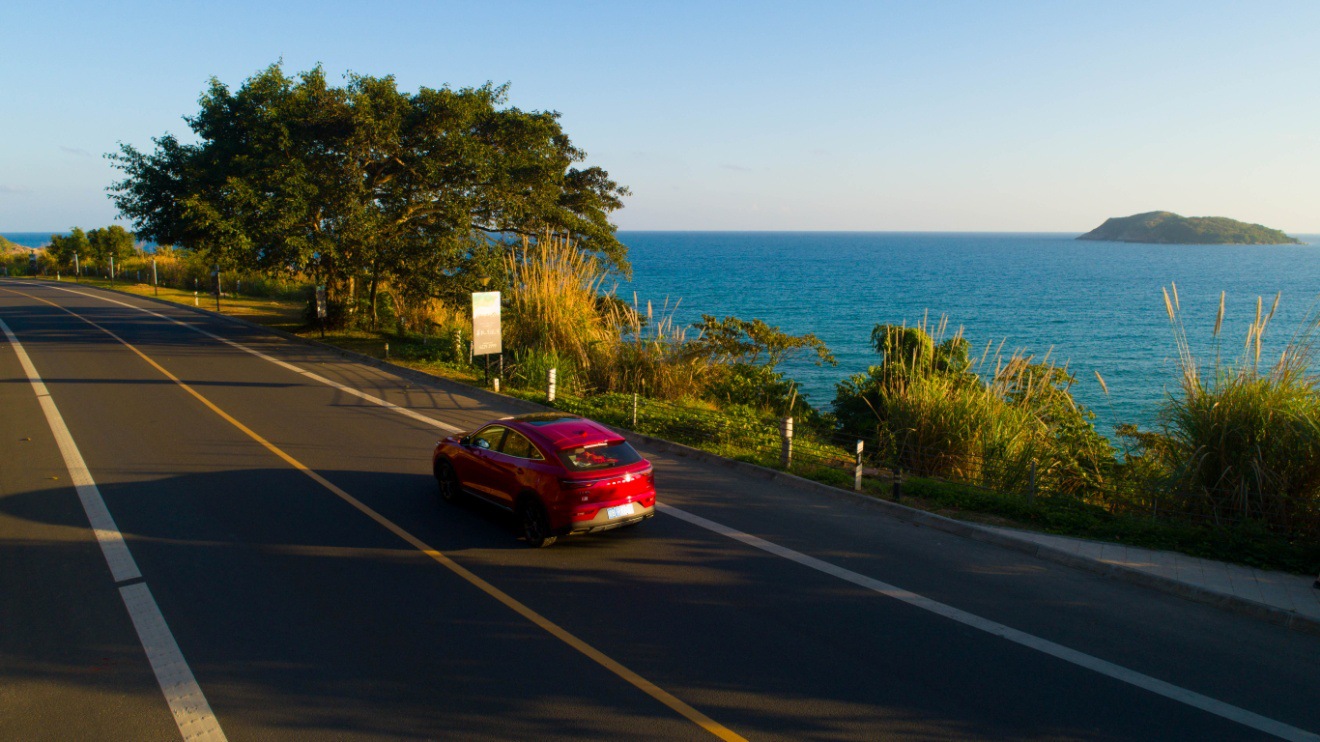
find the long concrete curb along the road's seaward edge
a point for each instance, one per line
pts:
(1253, 609)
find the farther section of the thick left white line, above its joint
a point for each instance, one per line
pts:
(122, 566)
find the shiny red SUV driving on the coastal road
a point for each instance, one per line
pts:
(559, 473)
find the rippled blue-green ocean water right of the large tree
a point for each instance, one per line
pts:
(1096, 307)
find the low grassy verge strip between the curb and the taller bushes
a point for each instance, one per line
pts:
(745, 436)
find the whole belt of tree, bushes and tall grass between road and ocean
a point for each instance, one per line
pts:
(405, 204)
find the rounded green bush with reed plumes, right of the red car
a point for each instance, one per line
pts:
(937, 417)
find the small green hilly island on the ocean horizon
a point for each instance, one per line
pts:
(1166, 228)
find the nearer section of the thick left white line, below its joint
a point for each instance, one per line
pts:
(192, 714)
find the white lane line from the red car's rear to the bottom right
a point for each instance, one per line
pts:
(1074, 657)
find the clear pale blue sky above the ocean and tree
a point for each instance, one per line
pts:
(997, 117)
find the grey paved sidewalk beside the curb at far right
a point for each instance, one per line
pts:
(1281, 591)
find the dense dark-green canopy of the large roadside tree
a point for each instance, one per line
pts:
(365, 182)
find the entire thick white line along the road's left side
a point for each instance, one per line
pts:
(187, 703)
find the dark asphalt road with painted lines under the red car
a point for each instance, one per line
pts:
(288, 530)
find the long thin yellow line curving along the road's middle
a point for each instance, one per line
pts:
(550, 626)
